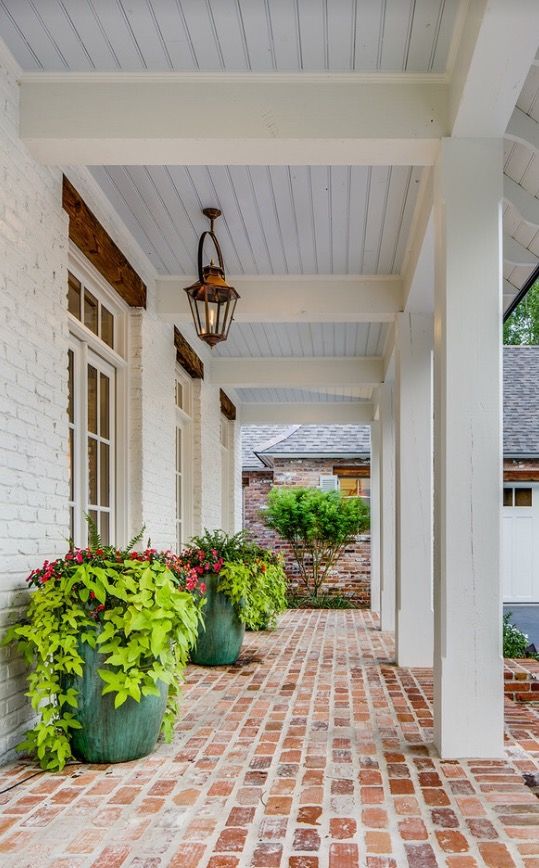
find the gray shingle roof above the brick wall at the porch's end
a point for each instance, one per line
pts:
(331, 441)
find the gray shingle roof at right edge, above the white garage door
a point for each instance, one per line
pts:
(521, 401)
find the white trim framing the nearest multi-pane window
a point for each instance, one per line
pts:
(84, 271)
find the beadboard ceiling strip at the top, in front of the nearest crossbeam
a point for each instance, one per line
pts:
(231, 35)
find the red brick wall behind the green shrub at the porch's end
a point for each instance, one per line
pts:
(351, 576)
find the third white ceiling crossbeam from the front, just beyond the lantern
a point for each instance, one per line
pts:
(295, 372)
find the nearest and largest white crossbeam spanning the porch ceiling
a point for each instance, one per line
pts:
(227, 119)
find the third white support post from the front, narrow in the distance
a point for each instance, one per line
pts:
(387, 508)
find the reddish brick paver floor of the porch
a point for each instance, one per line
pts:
(314, 752)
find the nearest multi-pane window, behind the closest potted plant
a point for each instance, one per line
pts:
(95, 380)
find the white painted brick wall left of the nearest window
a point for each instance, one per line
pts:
(33, 385)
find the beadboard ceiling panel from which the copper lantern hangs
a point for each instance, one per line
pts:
(276, 219)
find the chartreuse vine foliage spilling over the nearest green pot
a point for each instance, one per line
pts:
(127, 604)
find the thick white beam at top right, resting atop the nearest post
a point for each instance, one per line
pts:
(499, 42)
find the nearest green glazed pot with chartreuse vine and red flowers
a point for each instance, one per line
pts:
(107, 634)
